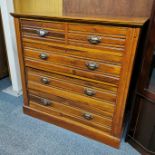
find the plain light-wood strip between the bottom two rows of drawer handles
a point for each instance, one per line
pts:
(88, 102)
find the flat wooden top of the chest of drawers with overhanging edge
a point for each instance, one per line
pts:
(124, 21)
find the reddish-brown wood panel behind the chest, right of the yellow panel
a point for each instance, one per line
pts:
(117, 8)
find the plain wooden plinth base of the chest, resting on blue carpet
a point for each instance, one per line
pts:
(74, 126)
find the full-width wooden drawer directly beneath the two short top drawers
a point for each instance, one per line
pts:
(94, 70)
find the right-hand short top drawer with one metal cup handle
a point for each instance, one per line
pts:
(109, 38)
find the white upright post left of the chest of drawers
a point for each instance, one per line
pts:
(10, 39)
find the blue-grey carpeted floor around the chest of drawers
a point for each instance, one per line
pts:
(24, 135)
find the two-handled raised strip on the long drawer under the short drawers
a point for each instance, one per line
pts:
(73, 62)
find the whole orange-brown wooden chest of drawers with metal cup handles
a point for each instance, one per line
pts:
(76, 71)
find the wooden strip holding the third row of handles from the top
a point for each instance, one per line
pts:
(73, 85)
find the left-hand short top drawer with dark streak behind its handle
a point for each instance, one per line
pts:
(45, 31)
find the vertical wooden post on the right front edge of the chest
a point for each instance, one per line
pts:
(128, 62)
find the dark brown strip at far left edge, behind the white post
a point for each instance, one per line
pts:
(3, 56)
